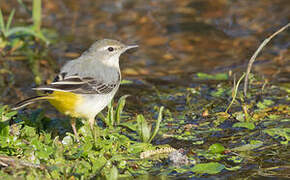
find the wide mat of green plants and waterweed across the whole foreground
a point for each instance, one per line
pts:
(33, 147)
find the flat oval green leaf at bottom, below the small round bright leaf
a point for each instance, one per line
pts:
(208, 168)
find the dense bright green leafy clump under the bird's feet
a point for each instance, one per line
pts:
(41, 154)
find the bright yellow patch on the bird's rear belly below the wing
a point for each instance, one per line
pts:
(65, 102)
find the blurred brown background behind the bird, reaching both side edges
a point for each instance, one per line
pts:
(177, 38)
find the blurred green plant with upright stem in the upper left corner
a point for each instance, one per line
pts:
(24, 40)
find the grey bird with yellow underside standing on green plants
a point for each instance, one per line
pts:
(85, 85)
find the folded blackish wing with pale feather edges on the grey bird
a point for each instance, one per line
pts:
(80, 85)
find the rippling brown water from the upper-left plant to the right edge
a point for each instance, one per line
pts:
(175, 37)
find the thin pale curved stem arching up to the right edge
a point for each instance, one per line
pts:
(253, 58)
